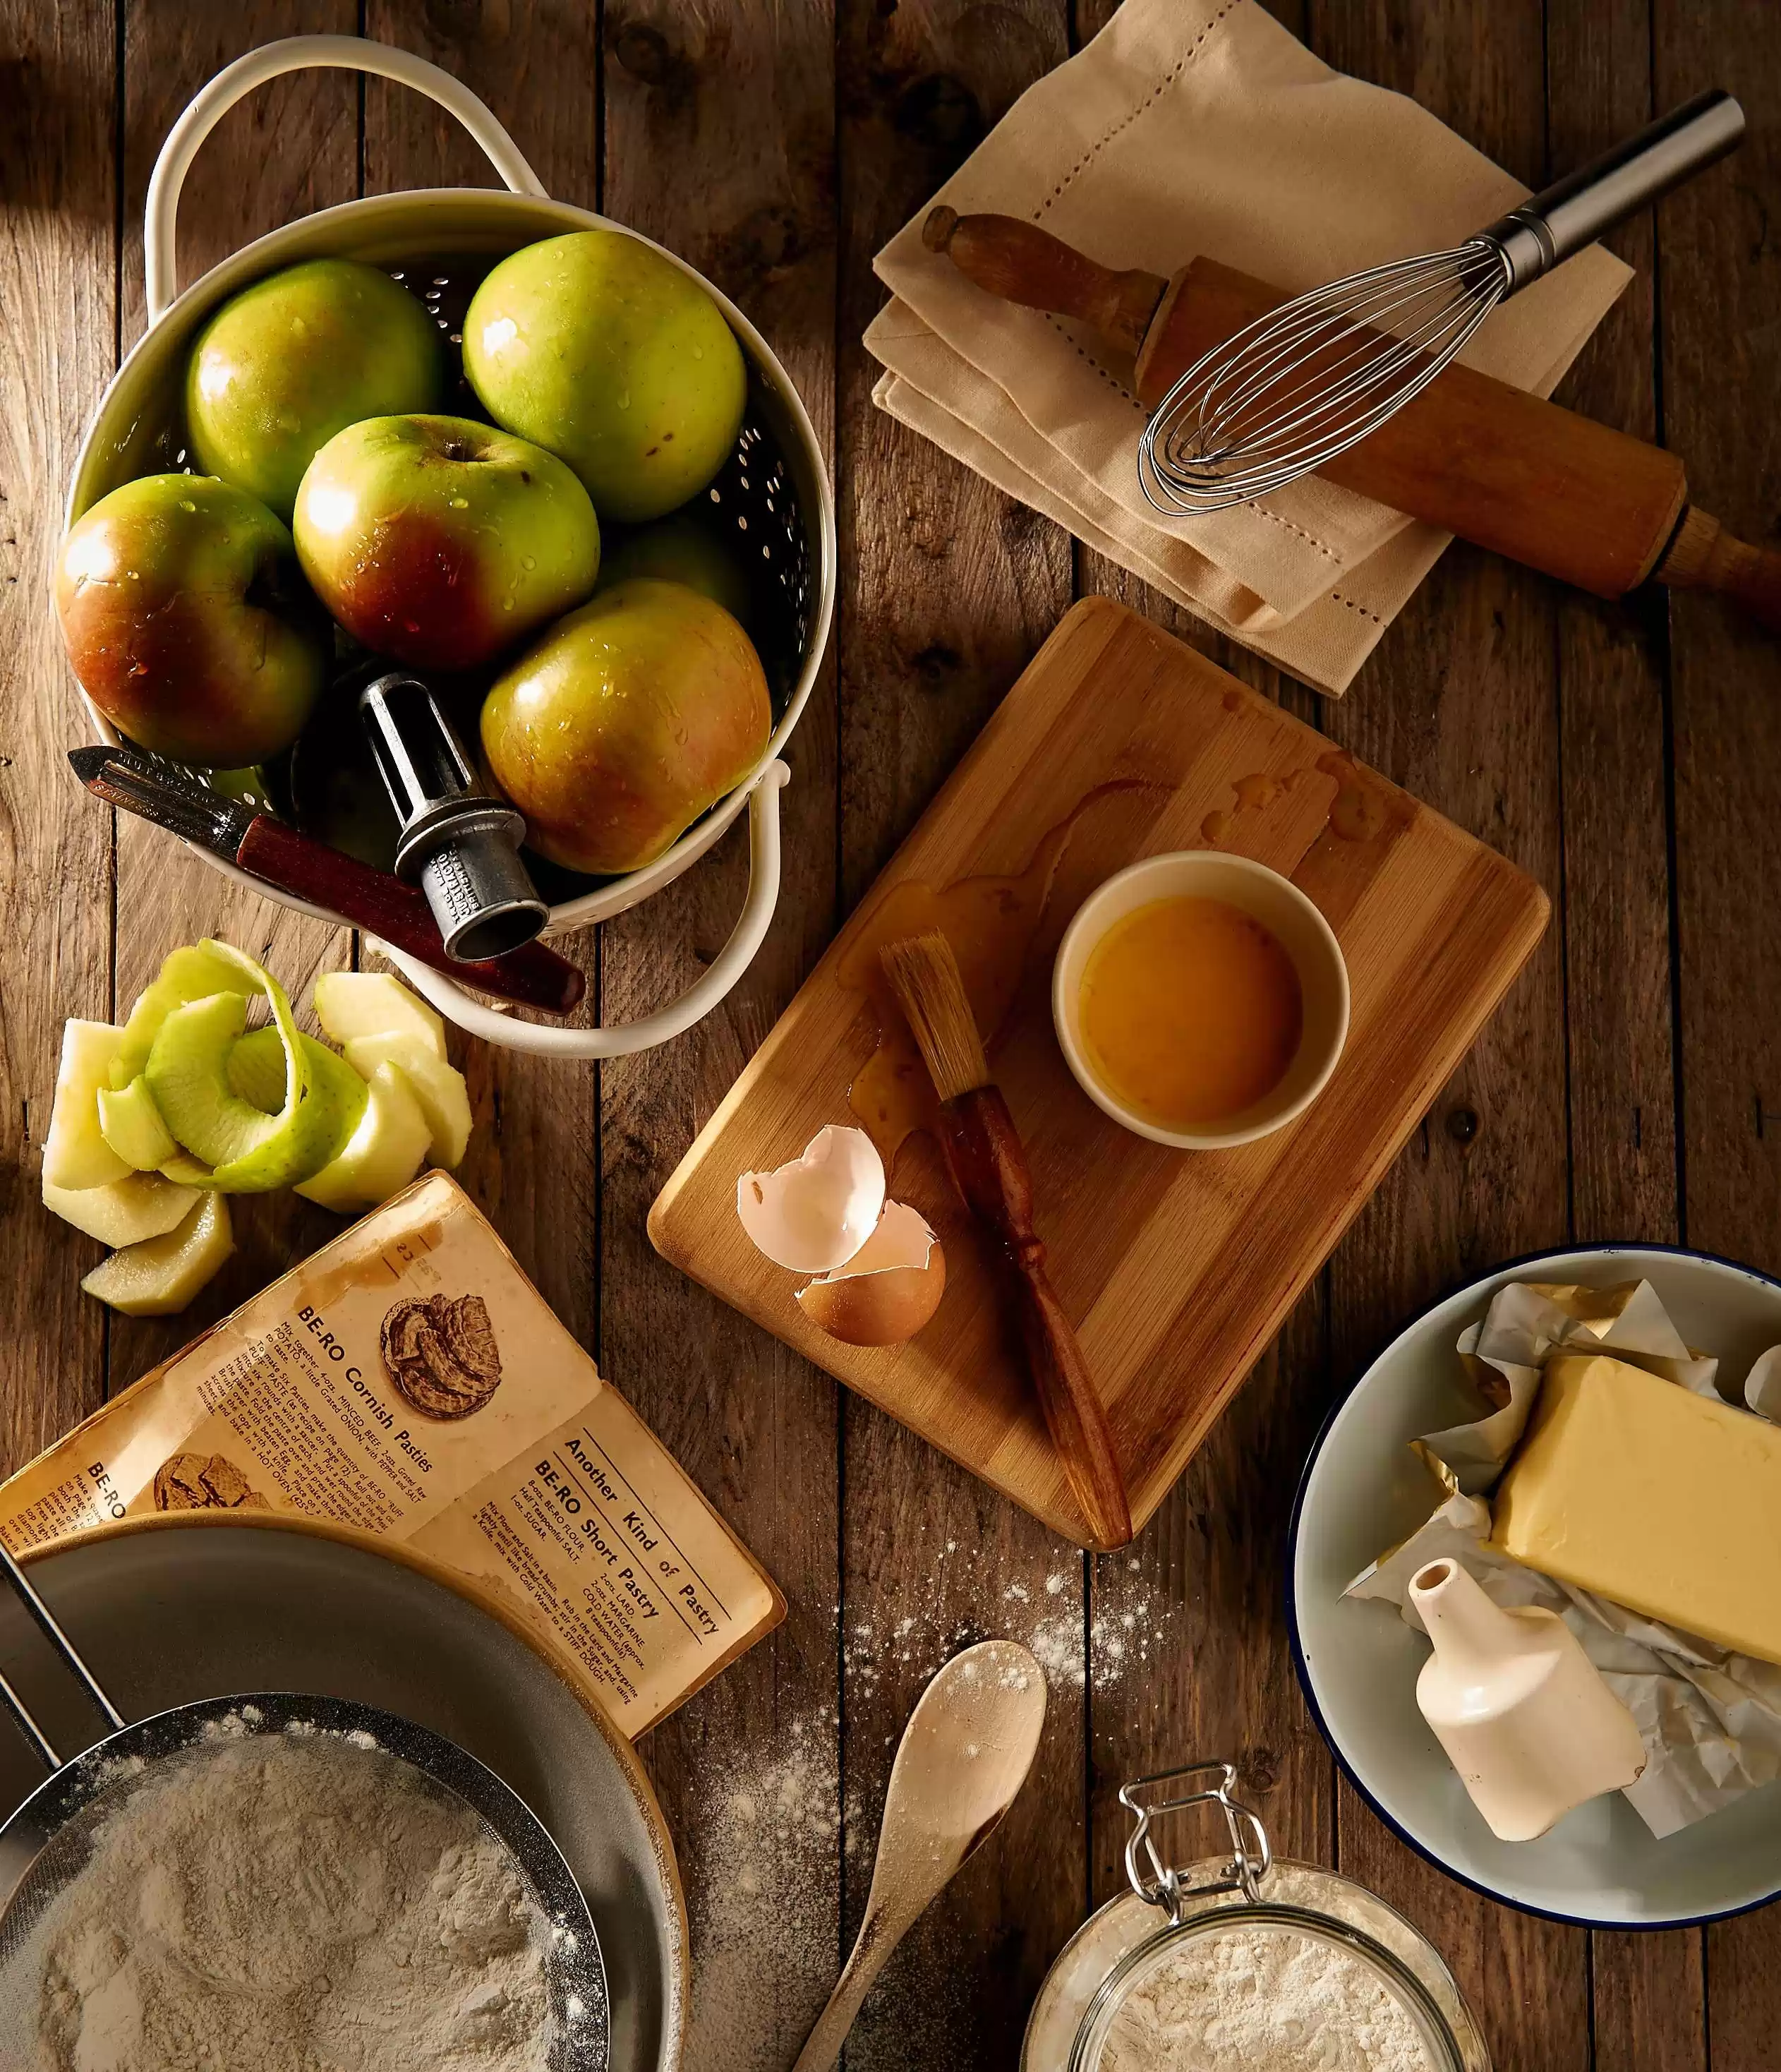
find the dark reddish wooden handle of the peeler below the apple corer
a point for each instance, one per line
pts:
(376, 900)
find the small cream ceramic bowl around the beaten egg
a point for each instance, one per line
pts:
(1285, 913)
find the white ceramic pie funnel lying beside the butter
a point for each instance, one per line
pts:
(1519, 1706)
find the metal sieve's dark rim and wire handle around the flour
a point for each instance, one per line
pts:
(51, 1837)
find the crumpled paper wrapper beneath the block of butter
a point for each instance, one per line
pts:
(1710, 1719)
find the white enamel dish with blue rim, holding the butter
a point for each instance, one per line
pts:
(1364, 1491)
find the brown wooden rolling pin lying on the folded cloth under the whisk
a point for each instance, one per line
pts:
(1469, 455)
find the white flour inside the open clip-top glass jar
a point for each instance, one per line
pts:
(1256, 2001)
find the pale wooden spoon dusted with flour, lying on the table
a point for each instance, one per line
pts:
(962, 1762)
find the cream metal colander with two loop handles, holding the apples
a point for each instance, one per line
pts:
(773, 488)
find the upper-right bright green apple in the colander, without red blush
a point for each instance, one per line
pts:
(608, 353)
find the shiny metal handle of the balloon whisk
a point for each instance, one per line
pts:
(1585, 204)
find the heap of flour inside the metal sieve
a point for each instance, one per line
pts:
(291, 1905)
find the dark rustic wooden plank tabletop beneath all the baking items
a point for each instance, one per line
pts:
(1629, 757)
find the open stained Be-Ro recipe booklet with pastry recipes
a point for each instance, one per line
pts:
(413, 1383)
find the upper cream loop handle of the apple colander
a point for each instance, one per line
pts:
(301, 55)
